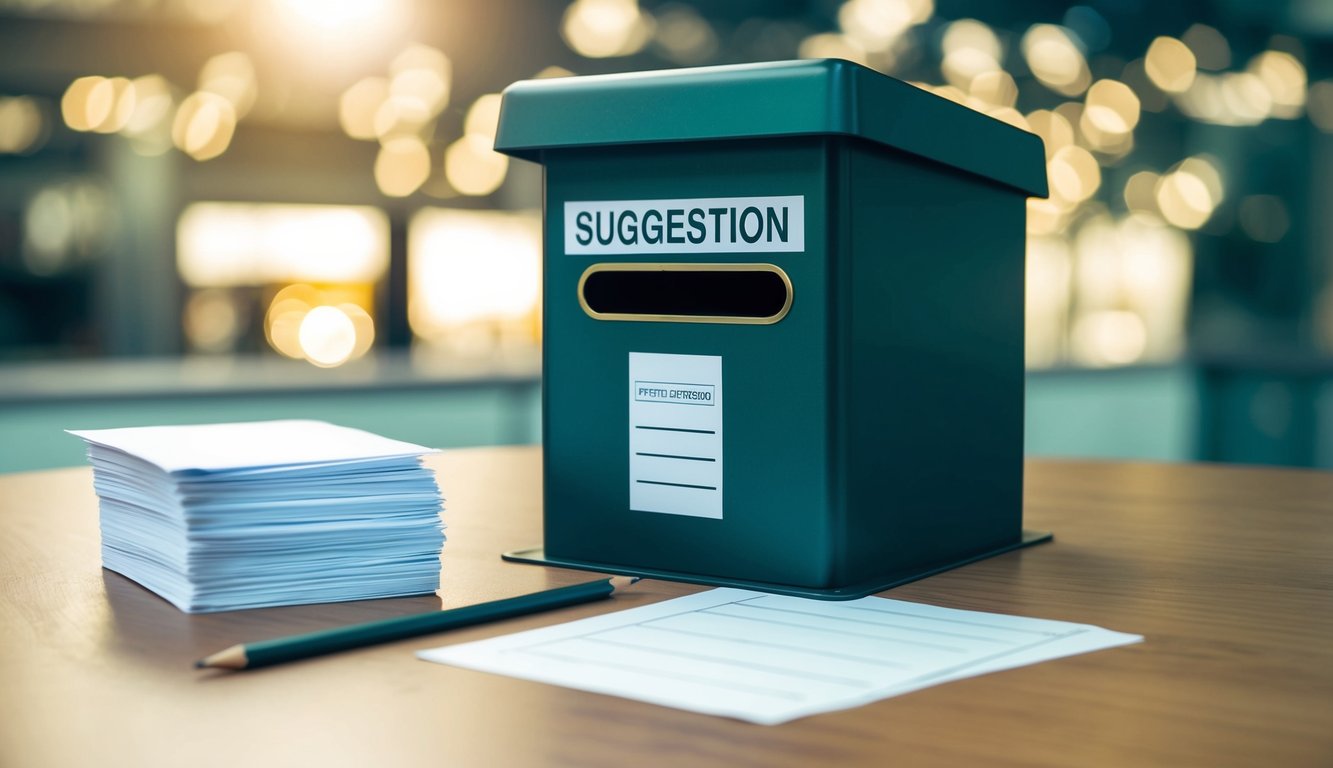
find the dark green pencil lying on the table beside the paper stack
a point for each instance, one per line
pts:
(267, 653)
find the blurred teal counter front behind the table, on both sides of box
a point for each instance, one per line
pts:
(1154, 414)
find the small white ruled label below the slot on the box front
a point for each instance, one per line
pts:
(676, 434)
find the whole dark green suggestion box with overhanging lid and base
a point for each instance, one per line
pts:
(784, 326)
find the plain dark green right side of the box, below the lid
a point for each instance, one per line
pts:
(935, 383)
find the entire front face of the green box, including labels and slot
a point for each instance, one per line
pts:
(686, 373)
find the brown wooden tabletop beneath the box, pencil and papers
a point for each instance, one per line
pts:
(1227, 571)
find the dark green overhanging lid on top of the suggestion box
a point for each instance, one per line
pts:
(772, 99)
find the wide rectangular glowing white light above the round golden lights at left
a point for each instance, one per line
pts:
(221, 245)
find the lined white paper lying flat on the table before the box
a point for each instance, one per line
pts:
(770, 659)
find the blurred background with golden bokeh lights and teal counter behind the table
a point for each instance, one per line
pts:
(223, 210)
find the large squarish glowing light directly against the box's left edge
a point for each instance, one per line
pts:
(477, 270)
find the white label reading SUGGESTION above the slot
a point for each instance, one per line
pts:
(687, 226)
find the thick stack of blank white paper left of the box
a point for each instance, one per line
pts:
(226, 517)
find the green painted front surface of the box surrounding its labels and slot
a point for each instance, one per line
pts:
(774, 525)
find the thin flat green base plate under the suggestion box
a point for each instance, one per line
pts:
(538, 557)
